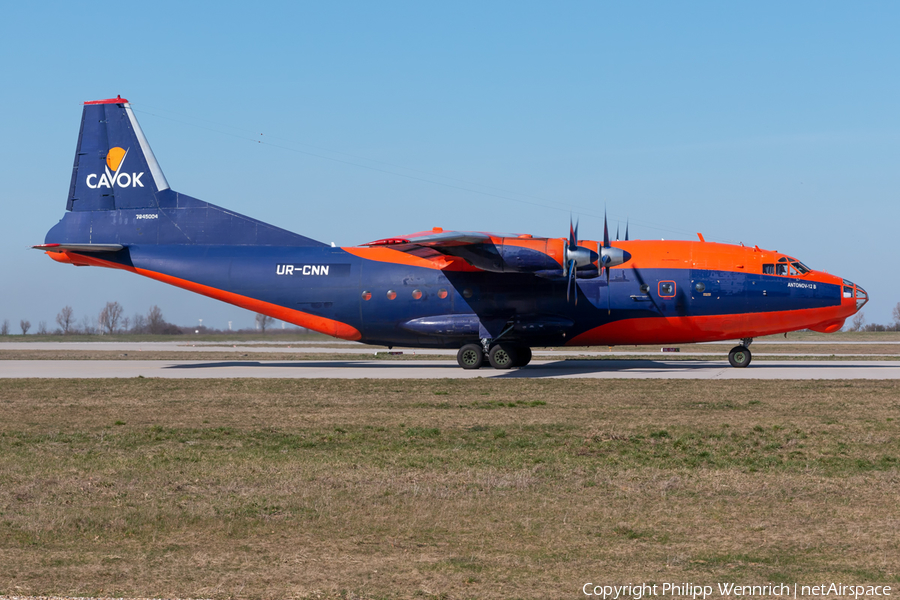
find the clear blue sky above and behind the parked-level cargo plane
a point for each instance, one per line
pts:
(769, 123)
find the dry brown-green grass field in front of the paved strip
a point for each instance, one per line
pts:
(454, 489)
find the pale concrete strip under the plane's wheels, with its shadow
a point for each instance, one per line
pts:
(440, 369)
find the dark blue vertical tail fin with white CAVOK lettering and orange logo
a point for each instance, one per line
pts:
(119, 195)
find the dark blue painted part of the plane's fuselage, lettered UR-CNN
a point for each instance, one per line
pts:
(332, 283)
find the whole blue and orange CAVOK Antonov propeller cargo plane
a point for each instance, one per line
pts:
(492, 296)
